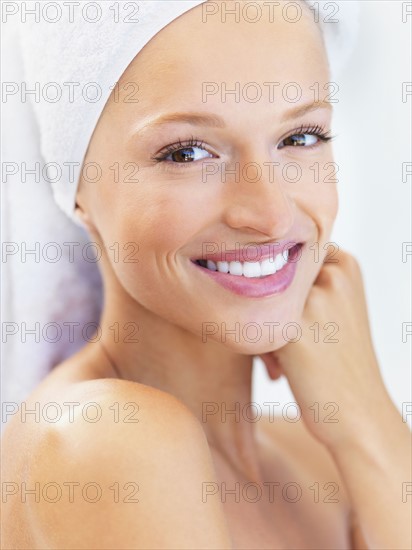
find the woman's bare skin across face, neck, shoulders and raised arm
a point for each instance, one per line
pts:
(171, 372)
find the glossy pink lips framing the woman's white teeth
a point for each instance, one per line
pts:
(259, 287)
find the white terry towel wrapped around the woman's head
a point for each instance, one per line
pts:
(39, 294)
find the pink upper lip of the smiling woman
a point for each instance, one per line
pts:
(252, 253)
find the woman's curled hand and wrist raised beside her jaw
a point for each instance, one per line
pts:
(332, 370)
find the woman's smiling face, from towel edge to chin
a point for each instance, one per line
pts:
(256, 173)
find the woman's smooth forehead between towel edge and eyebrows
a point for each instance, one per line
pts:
(210, 47)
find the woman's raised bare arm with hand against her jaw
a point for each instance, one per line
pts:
(367, 439)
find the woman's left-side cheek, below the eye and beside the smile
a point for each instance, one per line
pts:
(154, 224)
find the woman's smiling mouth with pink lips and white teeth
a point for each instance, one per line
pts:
(266, 277)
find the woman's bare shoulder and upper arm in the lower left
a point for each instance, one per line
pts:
(121, 459)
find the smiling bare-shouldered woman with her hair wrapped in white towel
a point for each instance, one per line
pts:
(205, 210)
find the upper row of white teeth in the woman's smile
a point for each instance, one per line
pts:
(251, 269)
